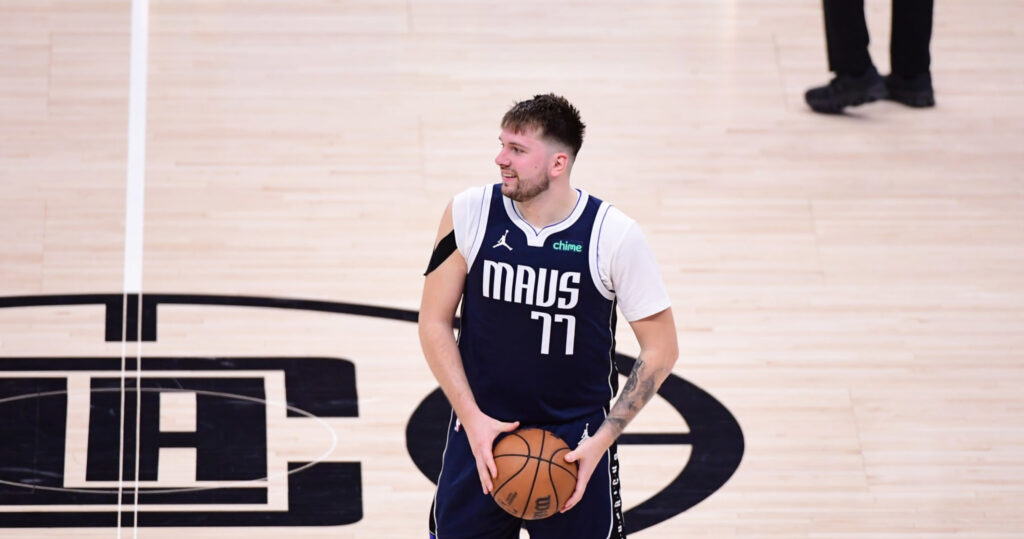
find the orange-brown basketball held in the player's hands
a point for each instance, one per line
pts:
(534, 480)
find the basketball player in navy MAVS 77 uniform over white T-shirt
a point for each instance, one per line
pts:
(539, 268)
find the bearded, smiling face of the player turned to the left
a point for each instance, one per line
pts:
(524, 162)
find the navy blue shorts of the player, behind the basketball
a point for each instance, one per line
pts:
(461, 511)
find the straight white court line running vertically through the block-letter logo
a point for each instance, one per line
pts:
(135, 205)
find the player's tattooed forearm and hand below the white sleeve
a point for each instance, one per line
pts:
(659, 351)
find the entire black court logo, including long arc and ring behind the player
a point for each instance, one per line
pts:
(63, 430)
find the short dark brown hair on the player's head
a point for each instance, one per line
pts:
(554, 115)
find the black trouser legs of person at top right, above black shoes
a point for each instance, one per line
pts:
(846, 34)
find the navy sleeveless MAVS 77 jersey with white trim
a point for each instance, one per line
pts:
(537, 336)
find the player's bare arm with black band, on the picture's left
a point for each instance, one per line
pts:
(443, 291)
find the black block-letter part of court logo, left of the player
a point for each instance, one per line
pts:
(229, 405)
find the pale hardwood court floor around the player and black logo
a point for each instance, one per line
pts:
(850, 288)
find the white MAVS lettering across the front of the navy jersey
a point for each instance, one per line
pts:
(523, 284)
